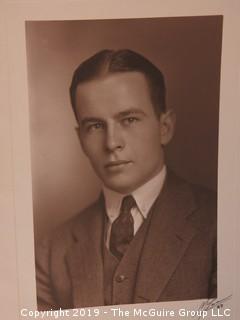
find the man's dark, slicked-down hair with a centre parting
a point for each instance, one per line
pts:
(113, 61)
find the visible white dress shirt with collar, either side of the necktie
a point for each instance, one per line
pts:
(144, 197)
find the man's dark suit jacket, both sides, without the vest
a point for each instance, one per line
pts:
(178, 260)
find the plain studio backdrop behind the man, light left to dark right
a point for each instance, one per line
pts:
(187, 50)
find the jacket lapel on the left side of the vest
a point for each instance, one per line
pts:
(85, 258)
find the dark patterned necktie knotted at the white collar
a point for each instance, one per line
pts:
(122, 228)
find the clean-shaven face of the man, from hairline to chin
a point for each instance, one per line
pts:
(119, 131)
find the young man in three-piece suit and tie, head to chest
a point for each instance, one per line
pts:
(150, 236)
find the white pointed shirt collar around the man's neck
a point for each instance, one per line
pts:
(144, 196)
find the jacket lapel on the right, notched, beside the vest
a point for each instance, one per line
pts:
(169, 236)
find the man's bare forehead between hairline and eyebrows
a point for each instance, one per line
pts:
(114, 95)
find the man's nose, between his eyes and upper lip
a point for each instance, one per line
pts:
(114, 139)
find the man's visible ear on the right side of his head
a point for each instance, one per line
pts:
(167, 123)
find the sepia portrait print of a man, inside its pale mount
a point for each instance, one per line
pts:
(124, 123)
